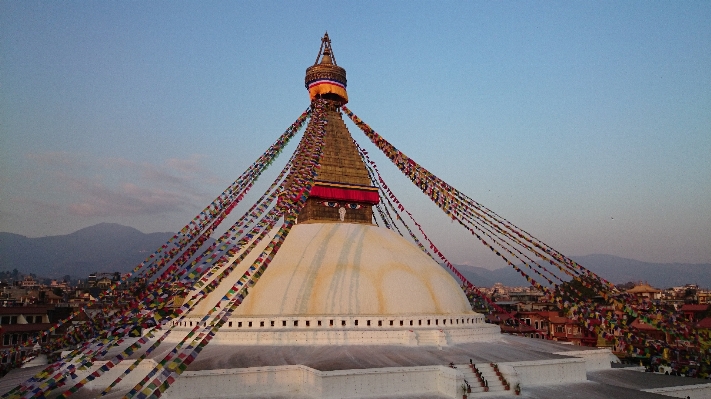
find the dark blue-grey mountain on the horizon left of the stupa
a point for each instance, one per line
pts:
(105, 247)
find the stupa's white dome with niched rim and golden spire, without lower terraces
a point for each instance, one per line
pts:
(338, 278)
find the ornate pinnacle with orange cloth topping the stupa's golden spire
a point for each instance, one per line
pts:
(326, 79)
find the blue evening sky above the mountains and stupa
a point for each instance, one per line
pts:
(587, 124)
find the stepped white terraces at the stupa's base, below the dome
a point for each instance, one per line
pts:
(544, 368)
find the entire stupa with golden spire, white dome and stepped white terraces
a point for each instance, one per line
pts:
(350, 309)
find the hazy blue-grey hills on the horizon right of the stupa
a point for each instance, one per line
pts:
(612, 268)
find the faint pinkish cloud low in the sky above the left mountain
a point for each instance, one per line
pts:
(88, 186)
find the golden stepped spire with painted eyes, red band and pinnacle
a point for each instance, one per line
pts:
(342, 191)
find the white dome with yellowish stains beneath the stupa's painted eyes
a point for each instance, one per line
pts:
(346, 269)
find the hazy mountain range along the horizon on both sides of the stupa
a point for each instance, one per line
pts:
(109, 247)
